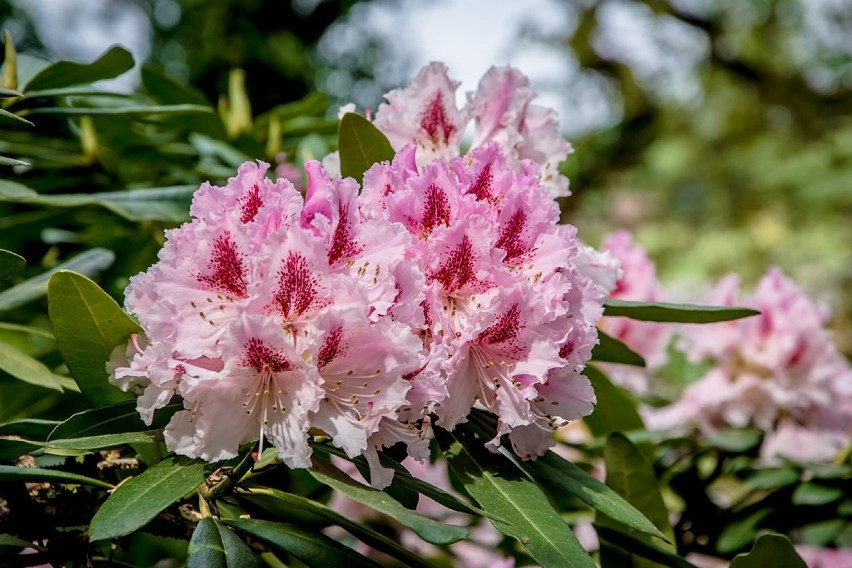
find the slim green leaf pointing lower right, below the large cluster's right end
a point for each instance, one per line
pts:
(575, 481)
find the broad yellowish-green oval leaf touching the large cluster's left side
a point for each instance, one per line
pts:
(88, 324)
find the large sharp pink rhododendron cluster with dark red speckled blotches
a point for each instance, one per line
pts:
(357, 314)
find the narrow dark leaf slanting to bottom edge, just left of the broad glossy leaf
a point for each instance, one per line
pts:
(289, 506)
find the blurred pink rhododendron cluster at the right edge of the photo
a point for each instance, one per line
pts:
(778, 371)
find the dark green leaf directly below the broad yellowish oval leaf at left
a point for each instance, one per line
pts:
(112, 419)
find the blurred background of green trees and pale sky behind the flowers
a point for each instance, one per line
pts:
(719, 132)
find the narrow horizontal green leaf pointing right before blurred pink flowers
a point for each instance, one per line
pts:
(678, 313)
